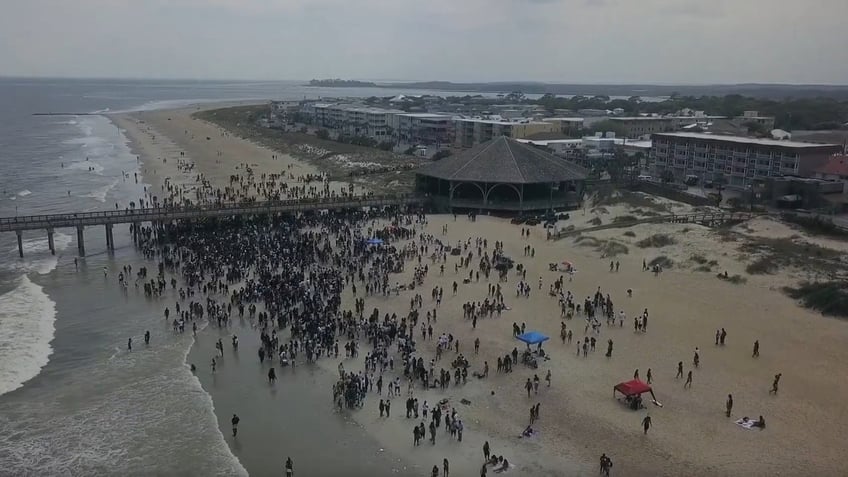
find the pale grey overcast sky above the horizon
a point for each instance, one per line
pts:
(570, 41)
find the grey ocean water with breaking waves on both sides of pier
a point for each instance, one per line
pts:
(73, 401)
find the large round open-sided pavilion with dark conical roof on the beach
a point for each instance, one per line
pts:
(503, 174)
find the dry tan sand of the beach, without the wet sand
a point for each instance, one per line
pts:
(580, 419)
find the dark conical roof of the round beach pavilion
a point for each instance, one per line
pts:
(504, 160)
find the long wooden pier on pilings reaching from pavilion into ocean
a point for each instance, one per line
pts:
(161, 215)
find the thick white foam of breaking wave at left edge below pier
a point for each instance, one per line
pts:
(27, 315)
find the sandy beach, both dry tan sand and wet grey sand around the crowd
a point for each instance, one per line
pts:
(579, 419)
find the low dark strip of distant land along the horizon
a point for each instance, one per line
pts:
(756, 90)
